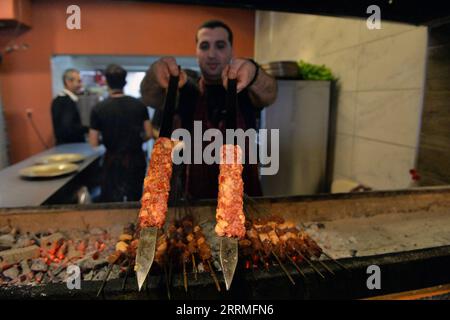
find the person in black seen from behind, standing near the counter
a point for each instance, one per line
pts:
(123, 124)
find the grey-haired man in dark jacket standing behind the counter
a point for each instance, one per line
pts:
(66, 120)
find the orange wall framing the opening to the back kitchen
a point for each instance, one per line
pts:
(107, 27)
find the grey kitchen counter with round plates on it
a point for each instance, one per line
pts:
(18, 192)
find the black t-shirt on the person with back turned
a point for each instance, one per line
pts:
(121, 123)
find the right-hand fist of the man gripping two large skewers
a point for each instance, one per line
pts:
(240, 69)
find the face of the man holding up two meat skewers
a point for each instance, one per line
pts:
(214, 52)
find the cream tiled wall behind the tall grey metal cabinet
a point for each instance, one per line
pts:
(381, 79)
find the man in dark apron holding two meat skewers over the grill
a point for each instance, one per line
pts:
(204, 99)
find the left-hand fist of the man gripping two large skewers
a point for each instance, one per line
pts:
(164, 68)
